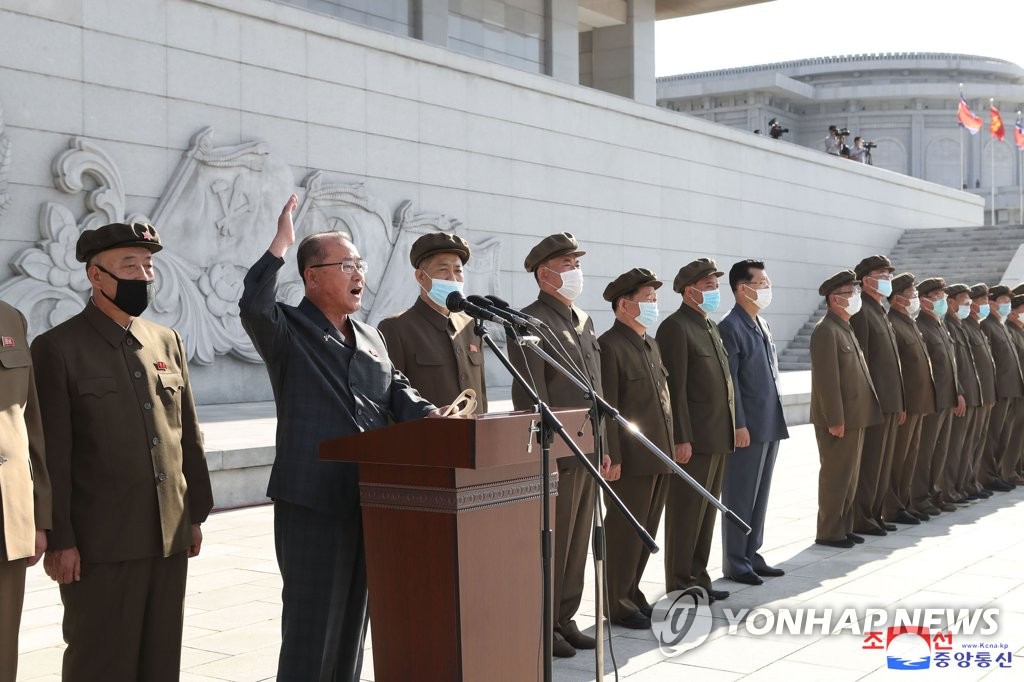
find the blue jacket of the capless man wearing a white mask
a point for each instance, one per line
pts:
(754, 368)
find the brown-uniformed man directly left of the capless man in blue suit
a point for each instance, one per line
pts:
(701, 387)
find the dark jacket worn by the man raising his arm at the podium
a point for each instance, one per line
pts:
(324, 390)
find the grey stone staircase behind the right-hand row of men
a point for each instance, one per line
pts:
(957, 254)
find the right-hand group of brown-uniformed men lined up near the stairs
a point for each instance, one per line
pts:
(918, 410)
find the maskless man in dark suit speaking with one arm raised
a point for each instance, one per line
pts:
(331, 377)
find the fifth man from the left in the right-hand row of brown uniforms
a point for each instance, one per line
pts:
(962, 434)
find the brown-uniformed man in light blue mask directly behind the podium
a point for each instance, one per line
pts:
(438, 351)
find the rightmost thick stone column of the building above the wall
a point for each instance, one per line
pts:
(624, 56)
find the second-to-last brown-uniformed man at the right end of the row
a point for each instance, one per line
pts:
(1009, 391)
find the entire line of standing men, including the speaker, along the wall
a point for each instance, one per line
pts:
(915, 414)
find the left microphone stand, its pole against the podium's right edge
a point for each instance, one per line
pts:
(549, 427)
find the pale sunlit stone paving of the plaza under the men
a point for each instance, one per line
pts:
(965, 560)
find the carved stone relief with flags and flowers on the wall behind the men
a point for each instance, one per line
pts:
(217, 217)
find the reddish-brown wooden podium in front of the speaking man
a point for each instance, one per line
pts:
(452, 525)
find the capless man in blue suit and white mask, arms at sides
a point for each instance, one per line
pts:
(760, 422)
